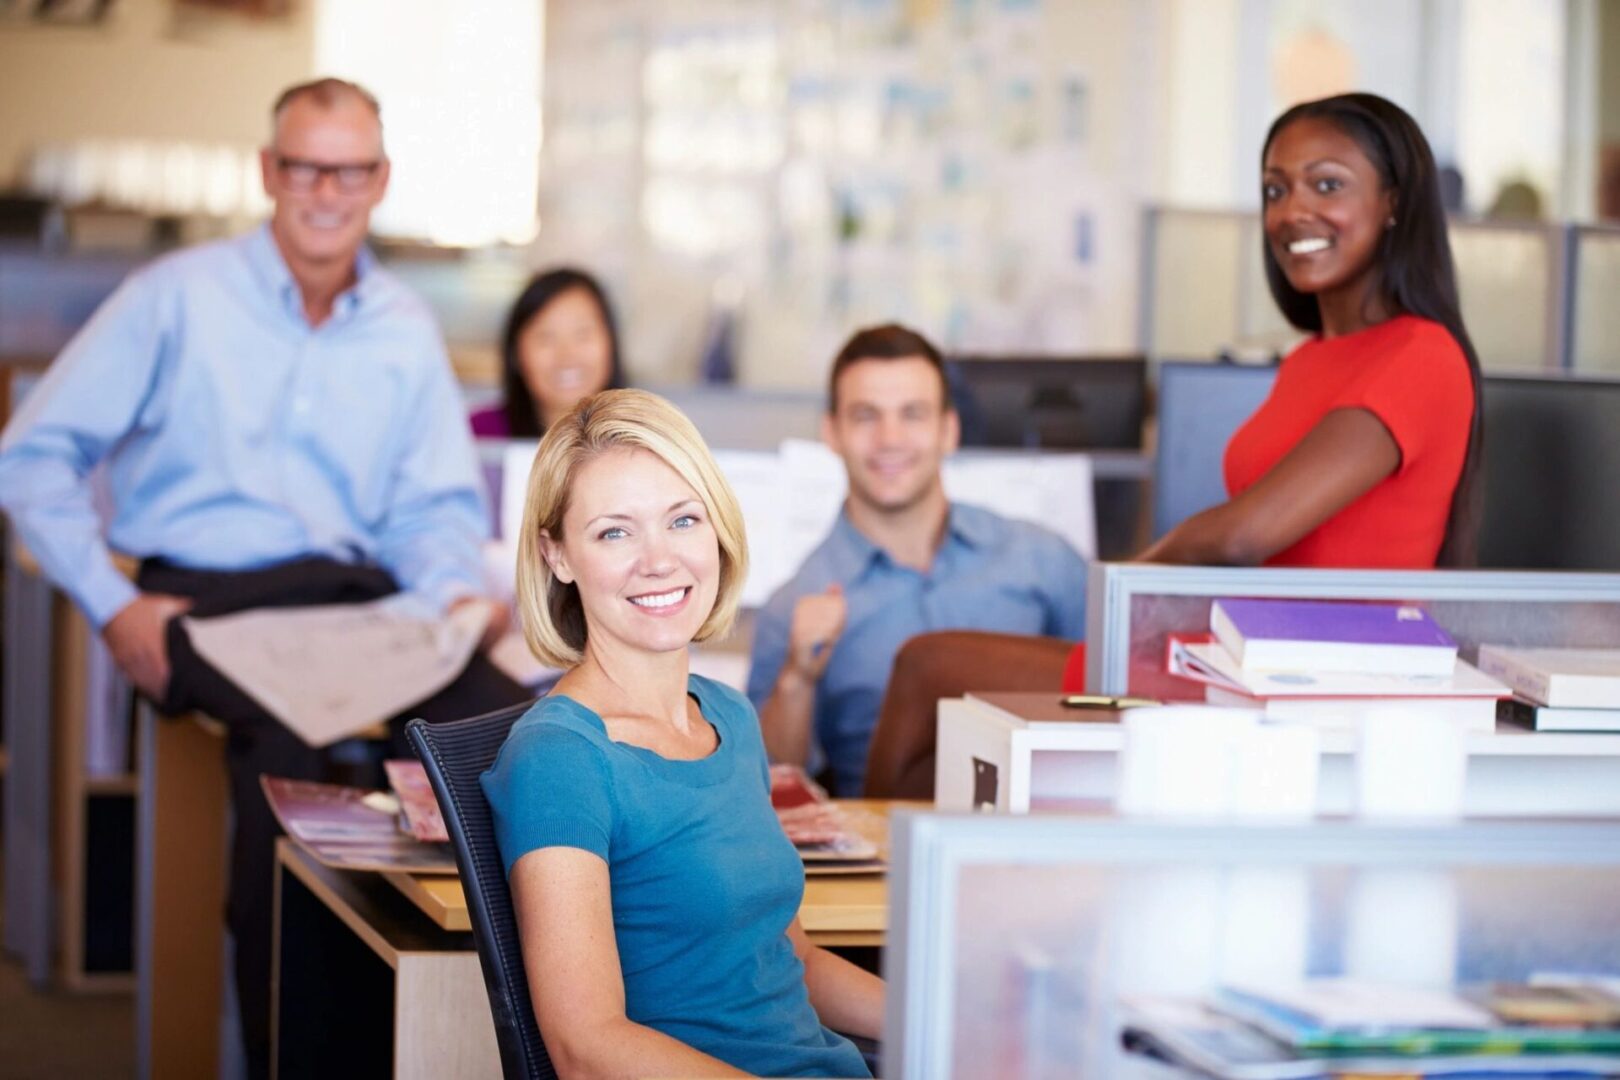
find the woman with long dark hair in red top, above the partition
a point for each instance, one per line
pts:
(1366, 454)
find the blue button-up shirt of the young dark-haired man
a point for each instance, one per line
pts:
(991, 574)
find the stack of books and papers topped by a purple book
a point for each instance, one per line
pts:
(1326, 663)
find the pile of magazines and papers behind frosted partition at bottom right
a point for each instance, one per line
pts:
(1345, 1027)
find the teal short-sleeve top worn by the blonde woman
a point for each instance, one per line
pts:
(704, 880)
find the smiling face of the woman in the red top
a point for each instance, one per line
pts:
(1326, 208)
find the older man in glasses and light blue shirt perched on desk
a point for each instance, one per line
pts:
(281, 427)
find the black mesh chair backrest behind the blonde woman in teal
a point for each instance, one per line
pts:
(454, 755)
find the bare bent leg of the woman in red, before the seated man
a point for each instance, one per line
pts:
(949, 665)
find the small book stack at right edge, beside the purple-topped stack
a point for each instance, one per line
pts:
(1559, 691)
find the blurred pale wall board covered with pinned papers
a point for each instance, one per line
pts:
(811, 166)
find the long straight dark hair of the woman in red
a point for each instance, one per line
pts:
(1415, 268)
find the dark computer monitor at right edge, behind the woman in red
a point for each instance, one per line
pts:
(1553, 474)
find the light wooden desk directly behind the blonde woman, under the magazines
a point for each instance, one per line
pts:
(380, 974)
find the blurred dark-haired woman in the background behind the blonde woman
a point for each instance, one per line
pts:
(558, 349)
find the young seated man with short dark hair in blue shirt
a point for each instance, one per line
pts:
(902, 561)
